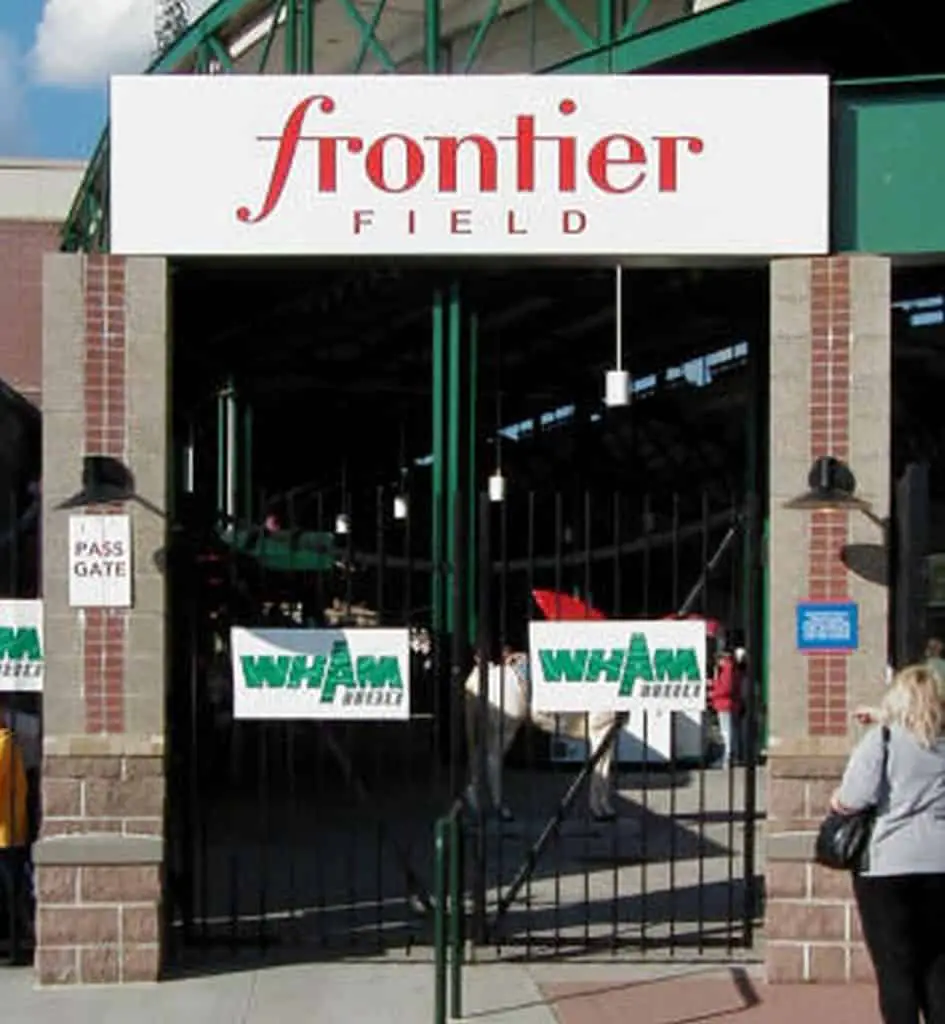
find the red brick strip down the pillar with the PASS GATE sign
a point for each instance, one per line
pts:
(106, 434)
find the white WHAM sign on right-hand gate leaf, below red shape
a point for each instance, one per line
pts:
(618, 666)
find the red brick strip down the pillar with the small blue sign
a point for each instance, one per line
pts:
(830, 436)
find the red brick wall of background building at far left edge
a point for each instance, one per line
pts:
(23, 245)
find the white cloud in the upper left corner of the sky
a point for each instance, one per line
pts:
(82, 42)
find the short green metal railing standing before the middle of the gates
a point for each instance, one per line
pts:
(449, 917)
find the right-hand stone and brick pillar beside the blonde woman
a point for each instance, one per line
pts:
(831, 395)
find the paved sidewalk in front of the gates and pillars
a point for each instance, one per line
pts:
(497, 994)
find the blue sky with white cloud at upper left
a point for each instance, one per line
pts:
(56, 58)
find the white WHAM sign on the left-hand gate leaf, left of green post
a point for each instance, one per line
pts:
(360, 675)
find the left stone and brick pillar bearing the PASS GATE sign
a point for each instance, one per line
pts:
(101, 850)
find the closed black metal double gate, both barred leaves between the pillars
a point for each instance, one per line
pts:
(317, 839)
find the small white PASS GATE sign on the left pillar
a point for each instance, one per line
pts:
(100, 562)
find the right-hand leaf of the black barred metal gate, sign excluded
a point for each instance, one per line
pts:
(672, 864)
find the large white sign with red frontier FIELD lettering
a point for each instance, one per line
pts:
(469, 165)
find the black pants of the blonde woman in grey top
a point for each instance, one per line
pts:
(904, 920)
